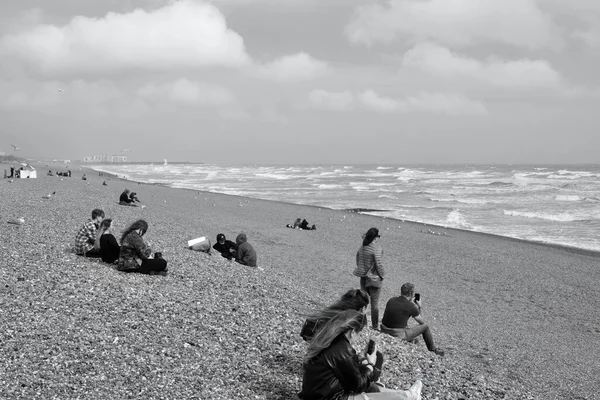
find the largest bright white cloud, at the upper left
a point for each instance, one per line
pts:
(183, 34)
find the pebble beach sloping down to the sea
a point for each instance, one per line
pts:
(518, 320)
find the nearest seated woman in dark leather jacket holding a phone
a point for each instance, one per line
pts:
(333, 369)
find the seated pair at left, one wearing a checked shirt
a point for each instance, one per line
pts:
(95, 239)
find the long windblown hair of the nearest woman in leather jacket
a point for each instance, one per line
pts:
(342, 322)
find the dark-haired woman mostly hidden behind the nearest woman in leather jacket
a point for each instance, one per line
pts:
(354, 299)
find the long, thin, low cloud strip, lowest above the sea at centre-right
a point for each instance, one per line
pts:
(437, 103)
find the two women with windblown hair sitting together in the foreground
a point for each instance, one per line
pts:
(333, 370)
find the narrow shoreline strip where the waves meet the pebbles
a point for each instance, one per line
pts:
(572, 249)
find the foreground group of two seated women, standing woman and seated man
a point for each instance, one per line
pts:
(332, 367)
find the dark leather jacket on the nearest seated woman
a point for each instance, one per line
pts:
(335, 373)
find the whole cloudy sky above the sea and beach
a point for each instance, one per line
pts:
(302, 81)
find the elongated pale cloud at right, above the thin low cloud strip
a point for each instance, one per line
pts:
(441, 62)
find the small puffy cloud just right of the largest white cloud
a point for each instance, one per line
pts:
(296, 67)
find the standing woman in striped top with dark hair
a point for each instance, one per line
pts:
(369, 268)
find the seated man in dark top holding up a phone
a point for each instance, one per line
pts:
(398, 311)
